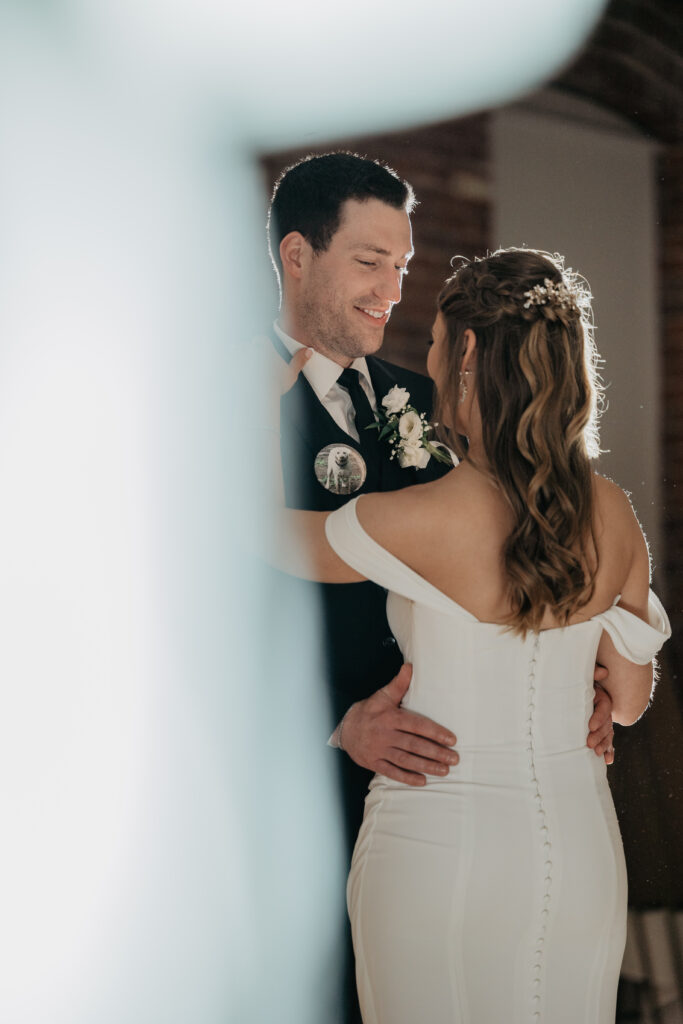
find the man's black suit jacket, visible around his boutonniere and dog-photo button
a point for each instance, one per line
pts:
(361, 653)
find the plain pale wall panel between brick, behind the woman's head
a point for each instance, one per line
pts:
(574, 180)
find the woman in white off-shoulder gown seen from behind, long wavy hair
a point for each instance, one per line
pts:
(498, 893)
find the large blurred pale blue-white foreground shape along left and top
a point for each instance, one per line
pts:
(170, 843)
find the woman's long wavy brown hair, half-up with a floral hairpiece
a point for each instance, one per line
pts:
(539, 396)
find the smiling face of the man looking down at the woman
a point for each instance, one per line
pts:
(349, 291)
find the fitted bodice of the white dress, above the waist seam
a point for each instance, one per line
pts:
(493, 689)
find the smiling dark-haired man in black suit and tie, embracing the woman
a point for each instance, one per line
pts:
(340, 240)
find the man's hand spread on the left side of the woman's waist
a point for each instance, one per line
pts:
(381, 736)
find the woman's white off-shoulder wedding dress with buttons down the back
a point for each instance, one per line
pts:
(497, 894)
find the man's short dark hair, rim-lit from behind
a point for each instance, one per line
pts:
(309, 197)
